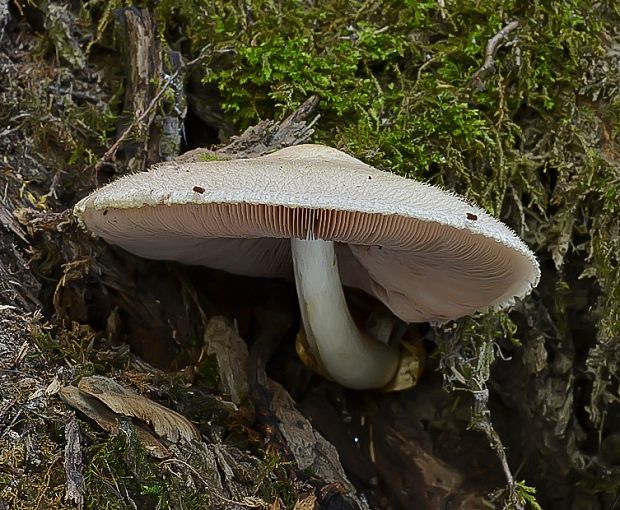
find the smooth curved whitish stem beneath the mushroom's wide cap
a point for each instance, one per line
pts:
(349, 356)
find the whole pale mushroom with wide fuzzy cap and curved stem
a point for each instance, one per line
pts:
(329, 219)
